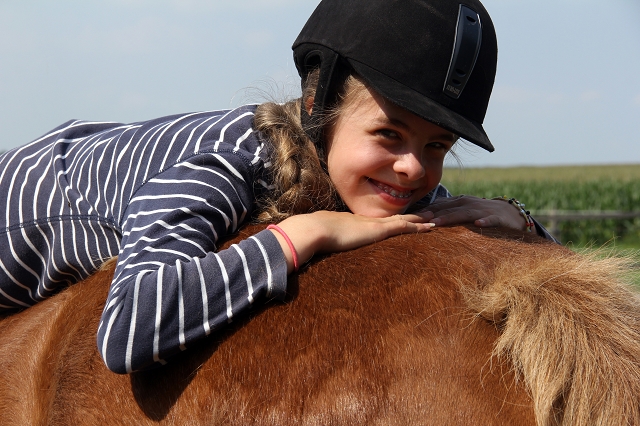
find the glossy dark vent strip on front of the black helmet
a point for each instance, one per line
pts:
(466, 46)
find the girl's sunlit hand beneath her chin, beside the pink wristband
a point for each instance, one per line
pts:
(329, 232)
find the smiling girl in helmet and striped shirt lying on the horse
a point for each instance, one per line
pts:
(388, 87)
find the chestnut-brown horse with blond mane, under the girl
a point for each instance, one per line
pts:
(456, 326)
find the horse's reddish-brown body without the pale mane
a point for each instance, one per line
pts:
(381, 335)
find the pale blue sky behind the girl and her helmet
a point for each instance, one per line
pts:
(567, 89)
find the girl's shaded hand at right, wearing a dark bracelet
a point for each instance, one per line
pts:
(479, 211)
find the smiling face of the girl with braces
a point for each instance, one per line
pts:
(383, 158)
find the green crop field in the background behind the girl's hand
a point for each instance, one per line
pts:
(567, 188)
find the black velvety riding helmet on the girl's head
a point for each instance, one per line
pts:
(435, 58)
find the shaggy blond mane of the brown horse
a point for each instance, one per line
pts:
(570, 326)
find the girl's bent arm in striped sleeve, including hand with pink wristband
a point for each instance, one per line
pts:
(172, 288)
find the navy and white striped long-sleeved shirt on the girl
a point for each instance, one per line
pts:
(159, 195)
